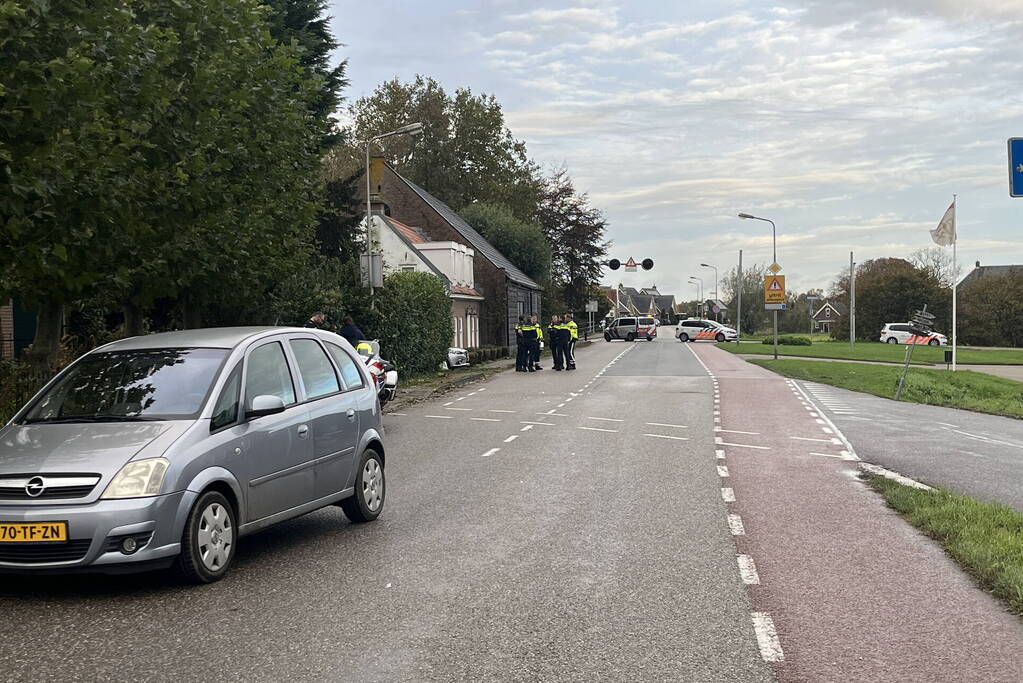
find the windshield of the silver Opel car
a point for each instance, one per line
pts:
(130, 386)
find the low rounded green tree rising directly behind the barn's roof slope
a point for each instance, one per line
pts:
(522, 243)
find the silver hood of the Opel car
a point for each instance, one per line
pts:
(102, 447)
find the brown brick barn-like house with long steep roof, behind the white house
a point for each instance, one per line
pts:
(507, 292)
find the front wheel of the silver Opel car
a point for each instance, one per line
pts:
(208, 542)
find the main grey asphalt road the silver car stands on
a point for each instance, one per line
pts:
(547, 527)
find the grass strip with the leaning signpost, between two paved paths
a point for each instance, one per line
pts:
(966, 390)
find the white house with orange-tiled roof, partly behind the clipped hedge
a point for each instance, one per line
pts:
(407, 249)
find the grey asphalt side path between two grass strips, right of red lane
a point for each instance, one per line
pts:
(972, 453)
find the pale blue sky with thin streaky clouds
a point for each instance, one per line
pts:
(850, 123)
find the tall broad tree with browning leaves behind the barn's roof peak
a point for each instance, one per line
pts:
(466, 155)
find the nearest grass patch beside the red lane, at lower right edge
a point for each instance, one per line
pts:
(985, 539)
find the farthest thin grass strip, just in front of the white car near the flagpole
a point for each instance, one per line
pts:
(892, 353)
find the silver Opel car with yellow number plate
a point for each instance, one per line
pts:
(167, 449)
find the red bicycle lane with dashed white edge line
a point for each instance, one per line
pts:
(853, 591)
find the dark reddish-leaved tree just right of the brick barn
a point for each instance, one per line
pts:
(575, 232)
